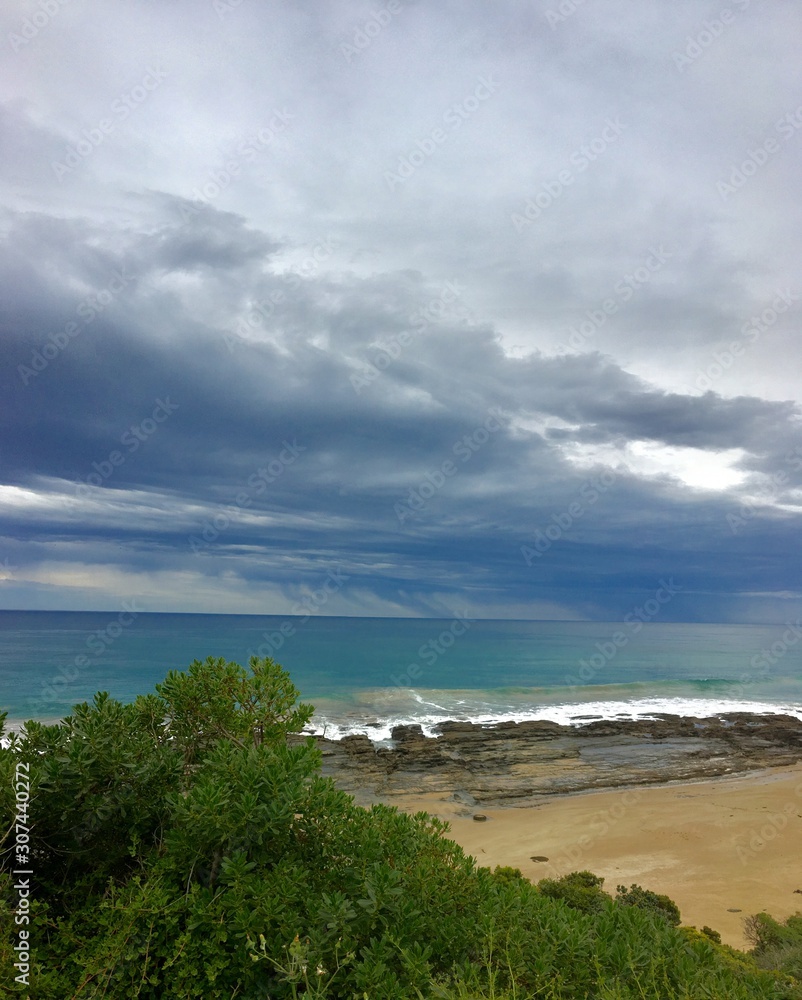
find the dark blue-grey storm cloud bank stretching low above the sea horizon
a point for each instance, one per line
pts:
(265, 446)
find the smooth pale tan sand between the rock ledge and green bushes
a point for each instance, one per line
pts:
(710, 845)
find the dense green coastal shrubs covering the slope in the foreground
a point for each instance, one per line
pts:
(181, 847)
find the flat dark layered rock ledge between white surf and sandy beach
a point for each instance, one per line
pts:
(511, 763)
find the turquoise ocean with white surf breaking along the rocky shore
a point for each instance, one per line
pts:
(369, 674)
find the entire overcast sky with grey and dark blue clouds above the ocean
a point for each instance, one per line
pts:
(402, 308)
